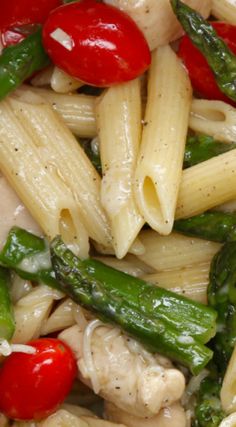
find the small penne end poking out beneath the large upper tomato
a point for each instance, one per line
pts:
(63, 83)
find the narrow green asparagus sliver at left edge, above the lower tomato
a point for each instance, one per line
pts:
(7, 324)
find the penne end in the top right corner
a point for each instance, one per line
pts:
(225, 10)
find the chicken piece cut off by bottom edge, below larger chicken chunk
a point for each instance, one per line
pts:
(172, 416)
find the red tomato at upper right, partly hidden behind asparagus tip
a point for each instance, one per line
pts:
(201, 76)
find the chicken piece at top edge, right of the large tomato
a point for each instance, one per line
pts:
(156, 19)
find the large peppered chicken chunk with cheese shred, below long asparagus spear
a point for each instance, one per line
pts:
(121, 371)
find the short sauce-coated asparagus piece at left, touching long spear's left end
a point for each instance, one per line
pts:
(29, 256)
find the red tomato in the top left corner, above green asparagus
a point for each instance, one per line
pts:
(15, 14)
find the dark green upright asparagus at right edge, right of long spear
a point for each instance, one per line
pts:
(222, 297)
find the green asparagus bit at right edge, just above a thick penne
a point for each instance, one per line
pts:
(202, 147)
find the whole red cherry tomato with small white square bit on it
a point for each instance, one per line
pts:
(96, 42)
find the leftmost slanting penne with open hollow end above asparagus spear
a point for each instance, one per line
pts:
(27, 163)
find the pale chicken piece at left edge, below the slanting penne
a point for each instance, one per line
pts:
(13, 212)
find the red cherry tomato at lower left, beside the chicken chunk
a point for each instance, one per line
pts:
(33, 385)
